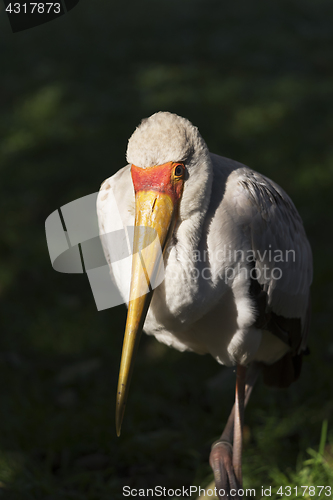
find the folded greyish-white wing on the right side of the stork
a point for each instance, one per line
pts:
(282, 255)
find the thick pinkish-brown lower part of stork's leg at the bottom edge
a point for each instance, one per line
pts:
(220, 460)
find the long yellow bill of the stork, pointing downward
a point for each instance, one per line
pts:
(154, 216)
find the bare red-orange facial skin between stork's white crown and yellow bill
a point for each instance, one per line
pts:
(160, 178)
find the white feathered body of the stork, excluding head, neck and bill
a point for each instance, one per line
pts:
(205, 302)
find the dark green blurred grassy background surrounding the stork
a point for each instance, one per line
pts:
(257, 79)
